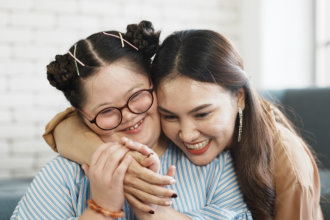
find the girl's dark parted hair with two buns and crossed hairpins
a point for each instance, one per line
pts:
(99, 50)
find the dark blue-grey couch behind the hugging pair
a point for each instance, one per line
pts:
(308, 108)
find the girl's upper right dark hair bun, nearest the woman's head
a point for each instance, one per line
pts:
(144, 37)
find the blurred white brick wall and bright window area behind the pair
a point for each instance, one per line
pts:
(277, 39)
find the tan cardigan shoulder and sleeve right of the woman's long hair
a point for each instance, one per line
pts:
(297, 181)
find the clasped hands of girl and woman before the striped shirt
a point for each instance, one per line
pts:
(128, 170)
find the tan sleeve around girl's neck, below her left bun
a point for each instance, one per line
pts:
(69, 136)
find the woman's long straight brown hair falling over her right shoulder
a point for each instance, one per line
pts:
(207, 56)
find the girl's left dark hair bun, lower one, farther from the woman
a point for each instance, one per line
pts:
(62, 72)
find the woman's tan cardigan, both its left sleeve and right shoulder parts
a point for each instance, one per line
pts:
(296, 178)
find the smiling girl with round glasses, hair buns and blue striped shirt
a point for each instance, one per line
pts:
(105, 77)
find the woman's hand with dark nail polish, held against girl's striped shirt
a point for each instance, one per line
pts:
(143, 186)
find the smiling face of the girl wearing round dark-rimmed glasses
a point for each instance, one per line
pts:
(112, 86)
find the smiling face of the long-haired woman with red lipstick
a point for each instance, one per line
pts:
(198, 117)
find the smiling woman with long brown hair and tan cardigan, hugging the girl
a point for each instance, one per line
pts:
(207, 105)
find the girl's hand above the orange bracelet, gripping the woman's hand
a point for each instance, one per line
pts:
(106, 173)
